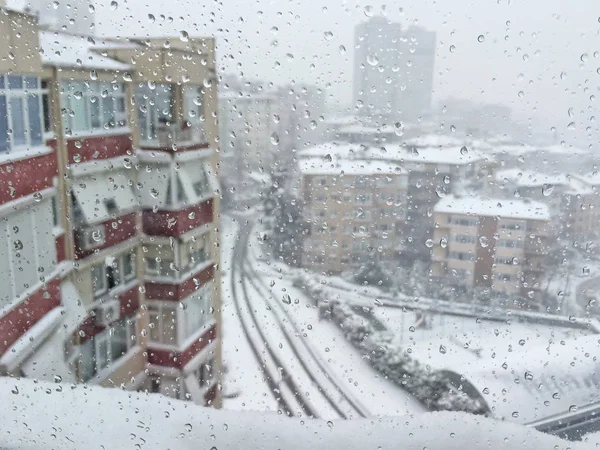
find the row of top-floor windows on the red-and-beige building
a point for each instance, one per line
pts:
(86, 106)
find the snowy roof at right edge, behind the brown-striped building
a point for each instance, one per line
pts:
(529, 178)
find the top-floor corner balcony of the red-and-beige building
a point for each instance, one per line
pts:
(177, 137)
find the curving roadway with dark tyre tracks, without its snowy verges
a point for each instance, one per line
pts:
(301, 381)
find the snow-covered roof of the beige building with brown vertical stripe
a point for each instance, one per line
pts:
(480, 206)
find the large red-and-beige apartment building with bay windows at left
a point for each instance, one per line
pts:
(125, 187)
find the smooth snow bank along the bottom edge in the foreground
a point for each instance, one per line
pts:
(38, 415)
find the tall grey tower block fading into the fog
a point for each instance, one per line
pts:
(393, 70)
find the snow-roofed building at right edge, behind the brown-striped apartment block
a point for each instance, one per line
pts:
(572, 201)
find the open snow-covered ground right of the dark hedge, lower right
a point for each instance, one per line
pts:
(492, 355)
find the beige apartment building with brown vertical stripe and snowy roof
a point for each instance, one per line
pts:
(494, 244)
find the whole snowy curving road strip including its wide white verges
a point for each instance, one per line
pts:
(308, 368)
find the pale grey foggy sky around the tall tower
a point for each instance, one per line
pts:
(528, 44)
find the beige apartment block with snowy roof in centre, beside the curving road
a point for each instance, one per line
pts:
(355, 210)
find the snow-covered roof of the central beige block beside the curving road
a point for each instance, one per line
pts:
(320, 166)
